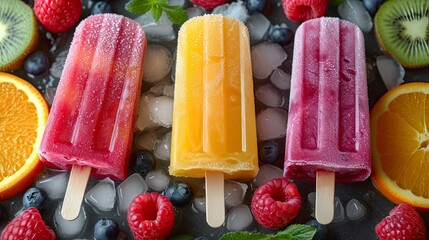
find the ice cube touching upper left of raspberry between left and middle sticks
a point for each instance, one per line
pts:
(129, 189)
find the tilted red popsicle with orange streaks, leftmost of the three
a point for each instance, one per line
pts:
(91, 122)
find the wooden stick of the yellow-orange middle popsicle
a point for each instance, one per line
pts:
(215, 201)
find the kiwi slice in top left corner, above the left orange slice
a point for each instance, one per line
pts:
(18, 33)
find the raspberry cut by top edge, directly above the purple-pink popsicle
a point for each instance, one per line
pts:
(302, 10)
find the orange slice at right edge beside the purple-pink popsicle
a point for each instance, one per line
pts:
(400, 145)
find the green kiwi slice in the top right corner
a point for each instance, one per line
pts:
(402, 30)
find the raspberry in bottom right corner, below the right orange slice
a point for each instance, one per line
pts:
(403, 222)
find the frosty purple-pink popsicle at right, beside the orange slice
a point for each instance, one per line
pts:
(328, 120)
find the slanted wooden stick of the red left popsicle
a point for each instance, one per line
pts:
(74, 193)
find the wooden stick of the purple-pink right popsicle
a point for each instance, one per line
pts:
(325, 191)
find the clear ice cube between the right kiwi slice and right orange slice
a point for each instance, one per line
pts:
(392, 73)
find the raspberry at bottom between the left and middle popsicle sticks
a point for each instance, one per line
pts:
(150, 216)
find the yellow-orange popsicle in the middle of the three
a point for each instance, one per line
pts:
(214, 129)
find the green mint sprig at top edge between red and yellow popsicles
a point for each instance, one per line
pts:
(175, 13)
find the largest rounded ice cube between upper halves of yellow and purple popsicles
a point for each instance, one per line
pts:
(265, 58)
